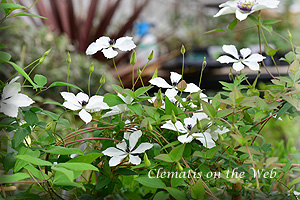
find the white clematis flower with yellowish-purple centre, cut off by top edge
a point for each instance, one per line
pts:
(243, 8)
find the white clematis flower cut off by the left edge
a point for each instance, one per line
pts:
(11, 99)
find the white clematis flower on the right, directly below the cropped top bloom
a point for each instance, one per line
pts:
(239, 61)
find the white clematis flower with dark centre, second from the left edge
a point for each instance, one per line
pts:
(83, 103)
